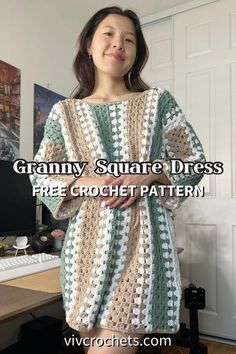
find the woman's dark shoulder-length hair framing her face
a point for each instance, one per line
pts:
(84, 67)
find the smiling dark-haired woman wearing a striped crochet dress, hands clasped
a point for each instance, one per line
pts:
(119, 270)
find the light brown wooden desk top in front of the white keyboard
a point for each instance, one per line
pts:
(29, 293)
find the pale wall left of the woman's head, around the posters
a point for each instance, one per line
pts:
(39, 37)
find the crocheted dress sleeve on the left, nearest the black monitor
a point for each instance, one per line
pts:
(52, 149)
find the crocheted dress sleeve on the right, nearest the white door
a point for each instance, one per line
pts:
(180, 142)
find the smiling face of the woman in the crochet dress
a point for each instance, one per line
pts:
(113, 47)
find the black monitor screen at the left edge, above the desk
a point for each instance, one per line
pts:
(17, 205)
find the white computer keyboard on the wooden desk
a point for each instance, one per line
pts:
(20, 266)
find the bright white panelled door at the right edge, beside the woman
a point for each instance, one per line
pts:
(204, 84)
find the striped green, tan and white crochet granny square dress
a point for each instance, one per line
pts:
(119, 267)
